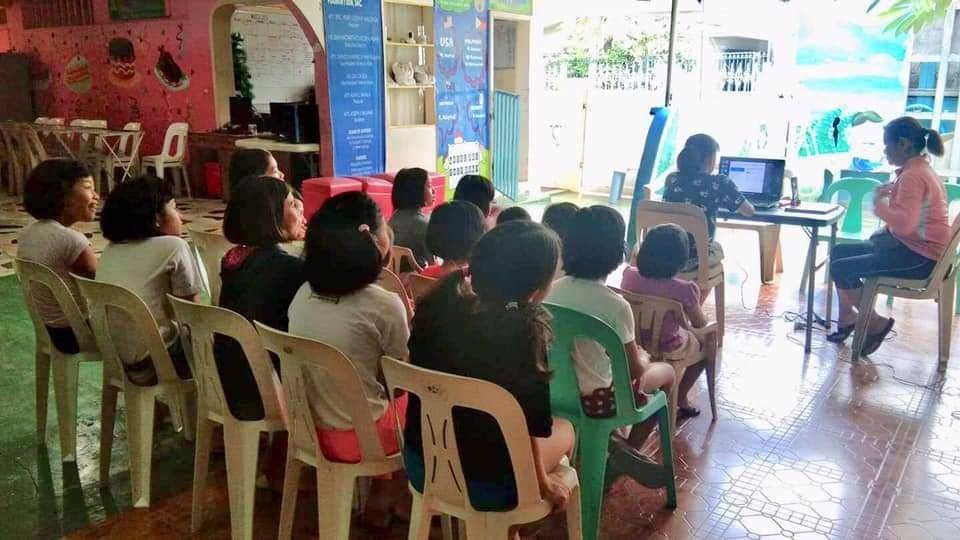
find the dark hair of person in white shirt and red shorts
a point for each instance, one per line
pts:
(339, 258)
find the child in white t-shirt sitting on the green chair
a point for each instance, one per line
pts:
(594, 248)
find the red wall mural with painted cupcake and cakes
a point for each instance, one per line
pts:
(144, 71)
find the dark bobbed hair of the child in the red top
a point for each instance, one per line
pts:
(454, 229)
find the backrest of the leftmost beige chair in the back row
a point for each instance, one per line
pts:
(34, 275)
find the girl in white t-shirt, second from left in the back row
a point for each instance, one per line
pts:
(147, 256)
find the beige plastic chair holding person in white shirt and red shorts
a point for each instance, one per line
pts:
(335, 481)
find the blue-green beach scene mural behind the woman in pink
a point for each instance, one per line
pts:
(852, 78)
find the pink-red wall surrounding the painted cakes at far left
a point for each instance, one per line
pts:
(185, 35)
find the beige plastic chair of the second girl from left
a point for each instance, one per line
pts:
(140, 400)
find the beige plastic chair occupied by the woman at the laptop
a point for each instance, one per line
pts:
(691, 219)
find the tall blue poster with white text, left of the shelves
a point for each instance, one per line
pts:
(354, 39)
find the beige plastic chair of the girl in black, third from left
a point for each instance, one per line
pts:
(241, 438)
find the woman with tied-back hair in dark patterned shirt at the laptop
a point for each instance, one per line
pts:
(694, 183)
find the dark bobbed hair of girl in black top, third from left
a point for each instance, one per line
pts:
(254, 214)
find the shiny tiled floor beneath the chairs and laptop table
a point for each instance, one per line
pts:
(804, 447)
